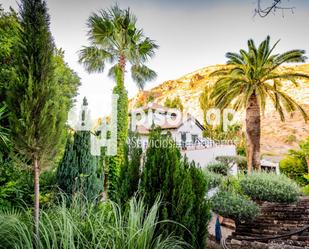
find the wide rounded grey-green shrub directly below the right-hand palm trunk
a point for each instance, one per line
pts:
(270, 187)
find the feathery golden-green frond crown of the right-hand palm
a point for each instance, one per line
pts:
(258, 64)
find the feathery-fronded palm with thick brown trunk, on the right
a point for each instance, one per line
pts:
(249, 79)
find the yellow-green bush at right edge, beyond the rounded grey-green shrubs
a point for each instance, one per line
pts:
(294, 168)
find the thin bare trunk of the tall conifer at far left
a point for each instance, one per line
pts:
(36, 196)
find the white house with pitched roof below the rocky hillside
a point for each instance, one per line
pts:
(185, 130)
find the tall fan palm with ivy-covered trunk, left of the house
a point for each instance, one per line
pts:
(115, 39)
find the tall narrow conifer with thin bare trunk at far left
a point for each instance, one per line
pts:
(35, 99)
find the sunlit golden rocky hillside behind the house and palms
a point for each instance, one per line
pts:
(277, 137)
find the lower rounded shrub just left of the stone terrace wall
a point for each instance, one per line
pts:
(234, 206)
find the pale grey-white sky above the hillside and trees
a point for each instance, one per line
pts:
(191, 34)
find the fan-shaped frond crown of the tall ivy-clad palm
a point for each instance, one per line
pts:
(120, 40)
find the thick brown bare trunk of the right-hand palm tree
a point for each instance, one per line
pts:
(253, 130)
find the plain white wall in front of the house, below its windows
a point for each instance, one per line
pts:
(208, 155)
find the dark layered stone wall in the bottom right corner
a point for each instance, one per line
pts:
(275, 219)
